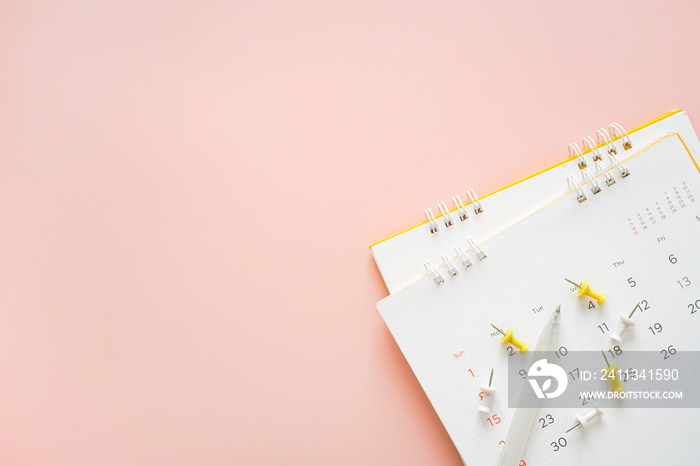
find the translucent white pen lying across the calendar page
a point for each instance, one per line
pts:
(524, 418)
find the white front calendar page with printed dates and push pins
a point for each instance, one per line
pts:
(637, 241)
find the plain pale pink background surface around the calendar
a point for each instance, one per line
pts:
(188, 191)
